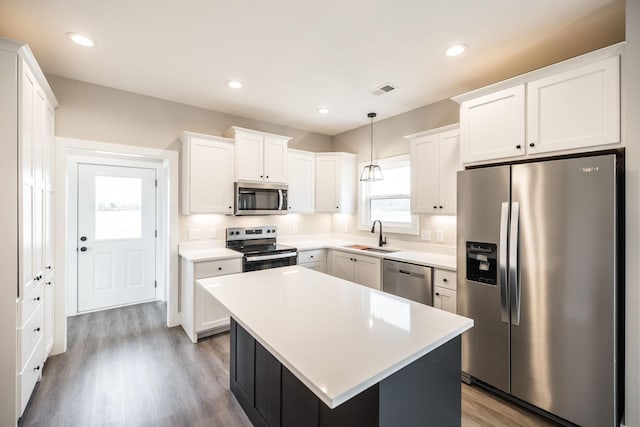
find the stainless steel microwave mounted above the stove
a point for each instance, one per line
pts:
(253, 198)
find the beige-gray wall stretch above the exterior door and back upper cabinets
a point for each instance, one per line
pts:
(93, 112)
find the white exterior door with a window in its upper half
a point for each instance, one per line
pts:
(116, 236)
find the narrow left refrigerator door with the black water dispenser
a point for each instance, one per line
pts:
(483, 196)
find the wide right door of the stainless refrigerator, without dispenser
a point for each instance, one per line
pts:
(563, 349)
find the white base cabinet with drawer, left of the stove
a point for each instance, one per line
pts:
(200, 311)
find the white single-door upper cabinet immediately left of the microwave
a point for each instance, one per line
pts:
(207, 174)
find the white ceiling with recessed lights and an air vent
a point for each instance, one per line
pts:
(293, 56)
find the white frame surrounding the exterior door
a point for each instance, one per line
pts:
(99, 159)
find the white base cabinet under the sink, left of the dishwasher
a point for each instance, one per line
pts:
(360, 269)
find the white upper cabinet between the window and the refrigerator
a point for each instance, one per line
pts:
(435, 161)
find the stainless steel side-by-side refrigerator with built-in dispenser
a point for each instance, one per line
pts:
(538, 273)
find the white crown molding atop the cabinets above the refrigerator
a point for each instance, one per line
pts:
(568, 64)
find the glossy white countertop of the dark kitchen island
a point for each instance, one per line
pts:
(337, 337)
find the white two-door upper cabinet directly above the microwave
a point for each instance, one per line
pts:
(260, 156)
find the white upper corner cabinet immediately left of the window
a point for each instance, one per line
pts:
(335, 182)
